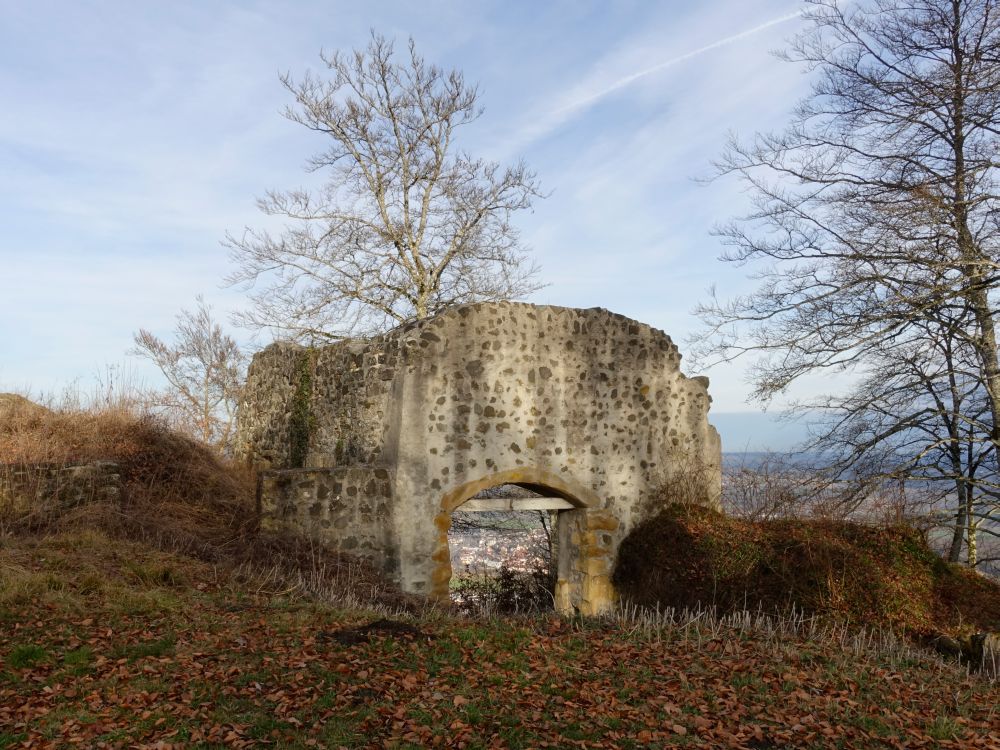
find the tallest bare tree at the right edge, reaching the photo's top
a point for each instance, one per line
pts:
(876, 210)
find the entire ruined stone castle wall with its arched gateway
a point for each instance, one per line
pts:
(369, 445)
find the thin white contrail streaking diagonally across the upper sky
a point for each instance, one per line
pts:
(596, 86)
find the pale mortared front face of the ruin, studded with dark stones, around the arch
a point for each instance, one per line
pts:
(513, 390)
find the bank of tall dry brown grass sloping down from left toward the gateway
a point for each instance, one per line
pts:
(176, 495)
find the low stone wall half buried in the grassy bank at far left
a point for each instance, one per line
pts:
(25, 488)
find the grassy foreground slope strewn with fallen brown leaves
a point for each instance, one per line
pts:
(109, 644)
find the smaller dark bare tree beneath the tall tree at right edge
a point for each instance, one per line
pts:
(919, 416)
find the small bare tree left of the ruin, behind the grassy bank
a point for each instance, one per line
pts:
(204, 368)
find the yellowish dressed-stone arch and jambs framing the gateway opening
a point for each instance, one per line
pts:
(585, 546)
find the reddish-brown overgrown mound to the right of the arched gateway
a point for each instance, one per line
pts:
(863, 574)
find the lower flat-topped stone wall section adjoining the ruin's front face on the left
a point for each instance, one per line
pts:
(347, 509)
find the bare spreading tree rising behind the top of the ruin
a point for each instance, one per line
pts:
(406, 223)
